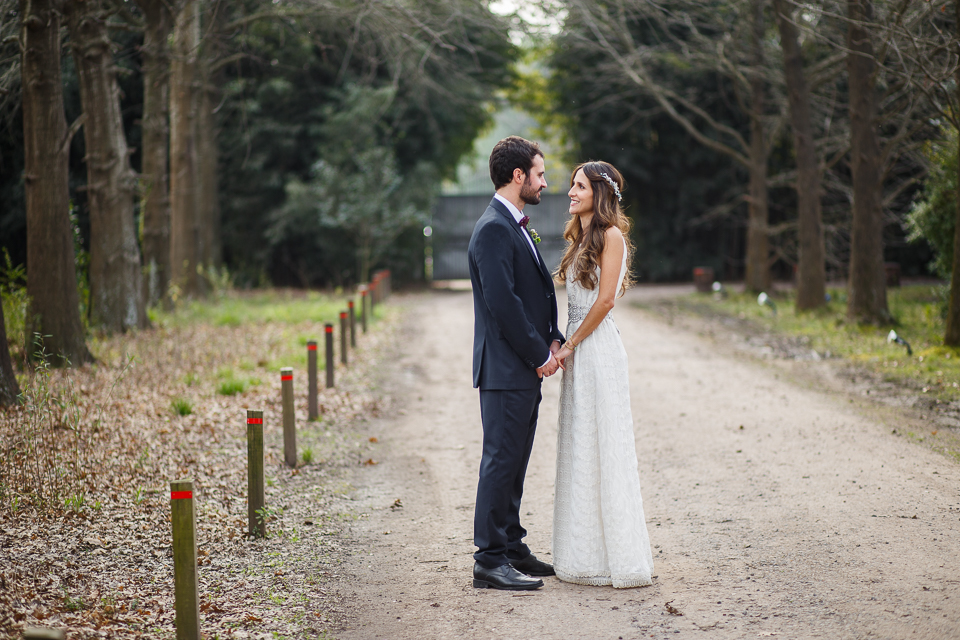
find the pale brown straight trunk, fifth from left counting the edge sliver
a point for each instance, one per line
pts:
(185, 230)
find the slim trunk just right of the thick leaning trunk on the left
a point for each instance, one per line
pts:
(155, 201)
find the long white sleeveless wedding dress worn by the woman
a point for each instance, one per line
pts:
(599, 531)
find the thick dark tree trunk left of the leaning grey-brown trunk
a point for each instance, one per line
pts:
(54, 310)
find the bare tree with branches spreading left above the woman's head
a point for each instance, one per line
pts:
(647, 43)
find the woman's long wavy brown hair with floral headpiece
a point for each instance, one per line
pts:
(582, 256)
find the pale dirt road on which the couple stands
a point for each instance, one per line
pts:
(775, 510)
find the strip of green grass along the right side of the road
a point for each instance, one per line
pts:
(918, 320)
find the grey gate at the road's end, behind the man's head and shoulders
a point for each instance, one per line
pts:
(455, 216)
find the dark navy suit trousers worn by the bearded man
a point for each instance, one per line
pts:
(509, 419)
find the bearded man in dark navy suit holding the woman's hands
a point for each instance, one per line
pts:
(514, 341)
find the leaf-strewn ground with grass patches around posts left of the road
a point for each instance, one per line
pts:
(86, 463)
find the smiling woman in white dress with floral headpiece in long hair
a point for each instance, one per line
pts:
(599, 532)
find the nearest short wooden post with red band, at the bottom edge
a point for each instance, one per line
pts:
(185, 583)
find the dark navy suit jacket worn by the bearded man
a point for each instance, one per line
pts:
(514, 304)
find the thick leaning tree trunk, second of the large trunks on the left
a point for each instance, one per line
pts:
(116, 295)
